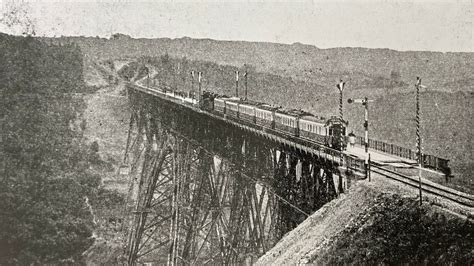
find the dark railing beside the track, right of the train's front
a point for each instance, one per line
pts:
(428, 161)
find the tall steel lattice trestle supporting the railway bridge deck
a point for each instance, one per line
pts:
(205, 191)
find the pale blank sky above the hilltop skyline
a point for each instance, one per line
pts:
(442, 25)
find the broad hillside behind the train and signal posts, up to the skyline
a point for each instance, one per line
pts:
(304, 76)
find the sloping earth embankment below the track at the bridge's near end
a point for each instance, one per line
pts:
(376, 222)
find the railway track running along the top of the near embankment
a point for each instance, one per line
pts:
(458, 197)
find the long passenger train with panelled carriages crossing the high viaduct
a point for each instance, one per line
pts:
(330, 132)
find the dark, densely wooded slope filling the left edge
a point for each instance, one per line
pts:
(45, 178)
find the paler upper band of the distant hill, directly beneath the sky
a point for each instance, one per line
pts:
(361, 67)
